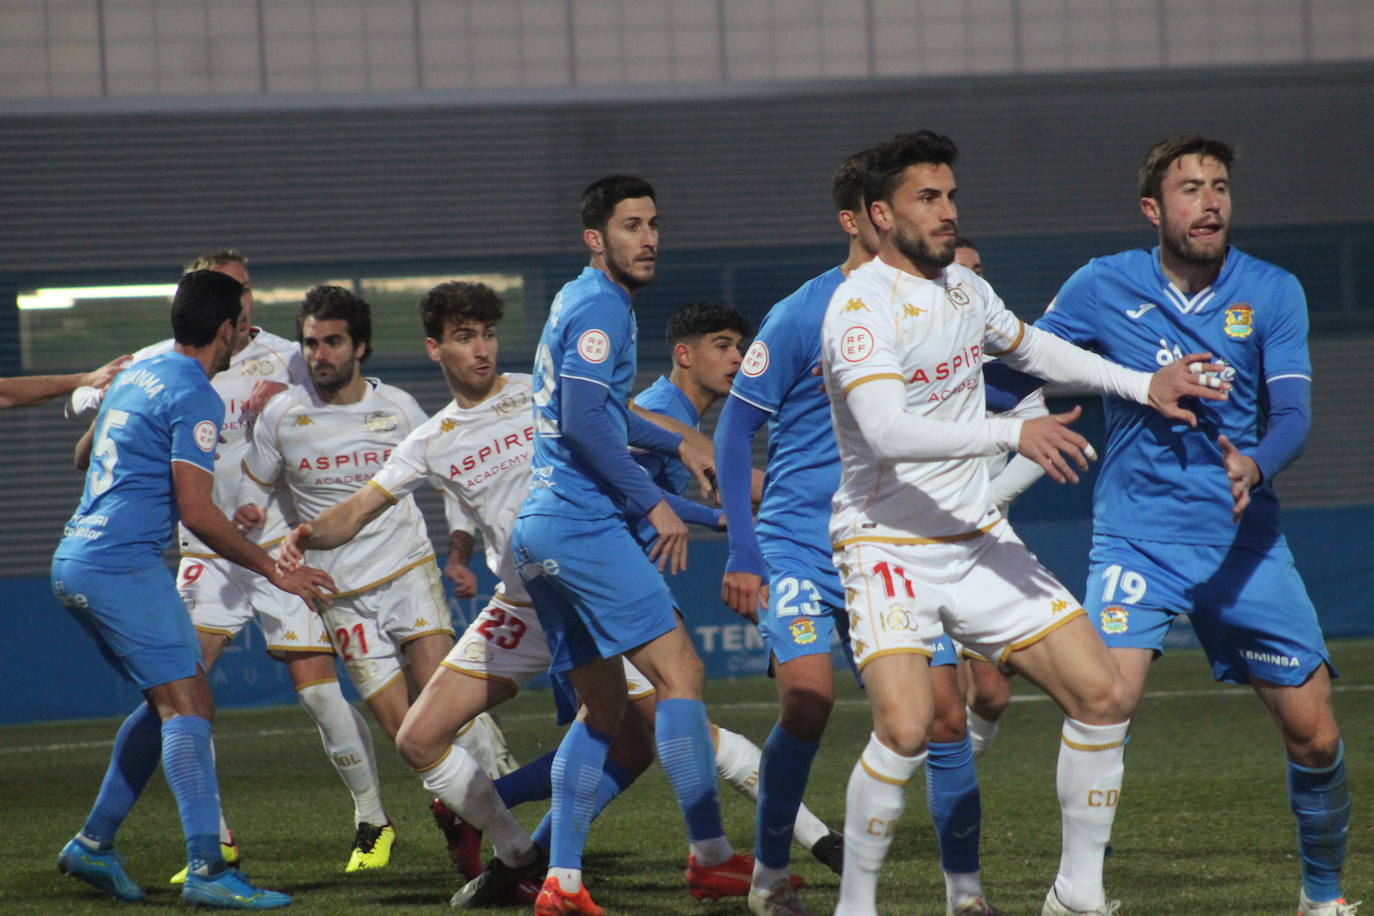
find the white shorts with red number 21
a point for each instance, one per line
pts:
(369, 628)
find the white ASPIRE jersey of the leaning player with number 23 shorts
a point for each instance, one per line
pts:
(480, 458)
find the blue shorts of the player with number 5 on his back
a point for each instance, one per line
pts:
(135, 616)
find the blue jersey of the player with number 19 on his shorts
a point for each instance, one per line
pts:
(1160, 480)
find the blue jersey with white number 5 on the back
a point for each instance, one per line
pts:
(159, 411)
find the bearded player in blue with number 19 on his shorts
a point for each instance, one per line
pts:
(1186, 521)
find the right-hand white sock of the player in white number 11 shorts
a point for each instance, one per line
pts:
(1089, 778)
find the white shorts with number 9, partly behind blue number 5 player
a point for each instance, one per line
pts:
(223, 597)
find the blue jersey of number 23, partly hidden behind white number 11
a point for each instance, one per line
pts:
(776, 377)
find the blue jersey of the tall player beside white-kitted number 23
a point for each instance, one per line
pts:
(592, 336)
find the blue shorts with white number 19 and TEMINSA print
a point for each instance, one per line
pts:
(1250, 608)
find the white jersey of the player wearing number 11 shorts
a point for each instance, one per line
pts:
(884, 323)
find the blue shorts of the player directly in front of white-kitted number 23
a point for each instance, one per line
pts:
(596, 593)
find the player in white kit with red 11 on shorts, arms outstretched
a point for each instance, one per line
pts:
(917, 540)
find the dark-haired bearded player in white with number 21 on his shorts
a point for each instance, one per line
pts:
(326, 442)
